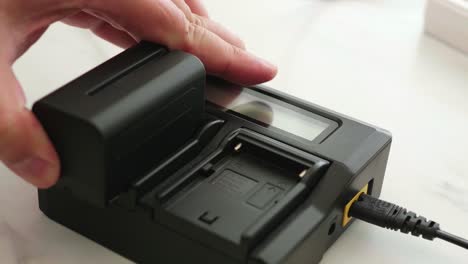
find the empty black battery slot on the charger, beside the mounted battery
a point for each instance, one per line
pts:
(240, 193)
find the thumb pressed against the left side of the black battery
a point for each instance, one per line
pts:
(24, 145)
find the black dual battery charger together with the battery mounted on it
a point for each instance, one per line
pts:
(163, 164)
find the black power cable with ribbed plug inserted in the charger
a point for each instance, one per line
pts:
(391, 216)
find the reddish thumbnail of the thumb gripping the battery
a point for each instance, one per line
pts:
(34, 170)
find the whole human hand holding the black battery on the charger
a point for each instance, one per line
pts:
(178, 24)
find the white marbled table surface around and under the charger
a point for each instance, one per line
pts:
(365, 58)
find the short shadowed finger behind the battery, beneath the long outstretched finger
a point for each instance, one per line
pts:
(101, 28)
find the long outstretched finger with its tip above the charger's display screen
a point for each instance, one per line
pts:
(175, 31)
